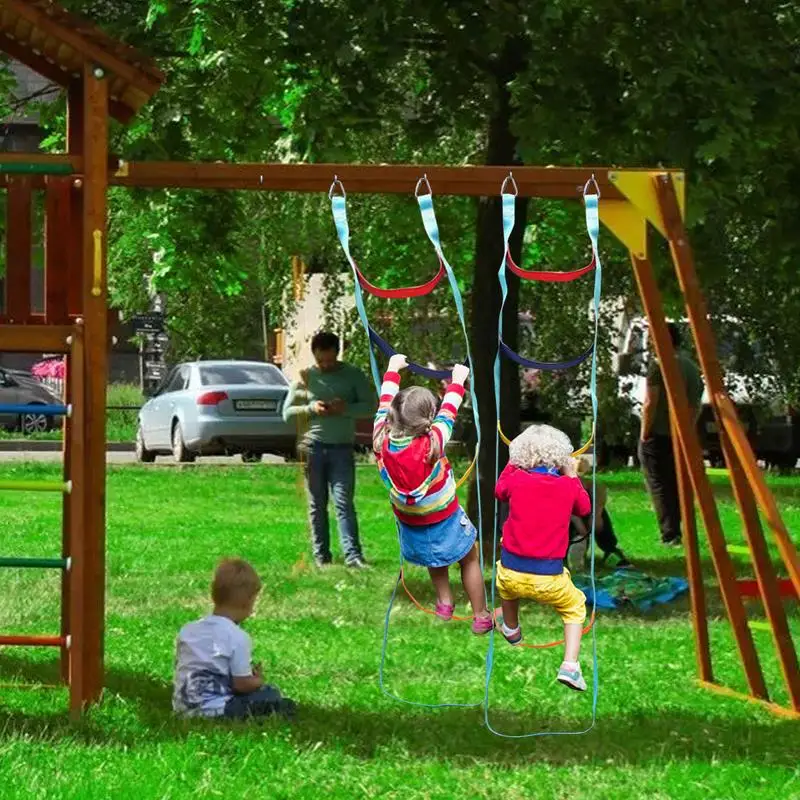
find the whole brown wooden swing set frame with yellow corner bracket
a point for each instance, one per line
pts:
(104, 79)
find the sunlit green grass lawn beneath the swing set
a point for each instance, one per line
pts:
(319, 636)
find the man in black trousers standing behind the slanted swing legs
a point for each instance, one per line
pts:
(655, 446)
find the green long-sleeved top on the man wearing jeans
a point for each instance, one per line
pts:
(347, 383)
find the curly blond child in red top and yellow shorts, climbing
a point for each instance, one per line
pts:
(542, 488)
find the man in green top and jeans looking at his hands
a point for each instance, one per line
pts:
(326, 401)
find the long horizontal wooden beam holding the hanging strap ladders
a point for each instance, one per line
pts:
(563, 182)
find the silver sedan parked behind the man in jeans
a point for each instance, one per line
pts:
(217, 408)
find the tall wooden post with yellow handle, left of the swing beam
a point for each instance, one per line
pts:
(95, 155)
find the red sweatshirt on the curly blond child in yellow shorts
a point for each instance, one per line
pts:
(540, 507)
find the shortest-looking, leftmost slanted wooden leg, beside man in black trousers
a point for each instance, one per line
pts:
(694, 568)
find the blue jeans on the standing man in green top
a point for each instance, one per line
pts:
(334, 466)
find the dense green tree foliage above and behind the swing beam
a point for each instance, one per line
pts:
(709, 88)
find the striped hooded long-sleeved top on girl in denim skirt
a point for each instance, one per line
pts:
(421, 493)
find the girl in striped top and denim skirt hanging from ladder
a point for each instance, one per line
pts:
(409, 439)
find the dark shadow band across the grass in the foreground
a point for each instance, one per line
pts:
(457, 735)
